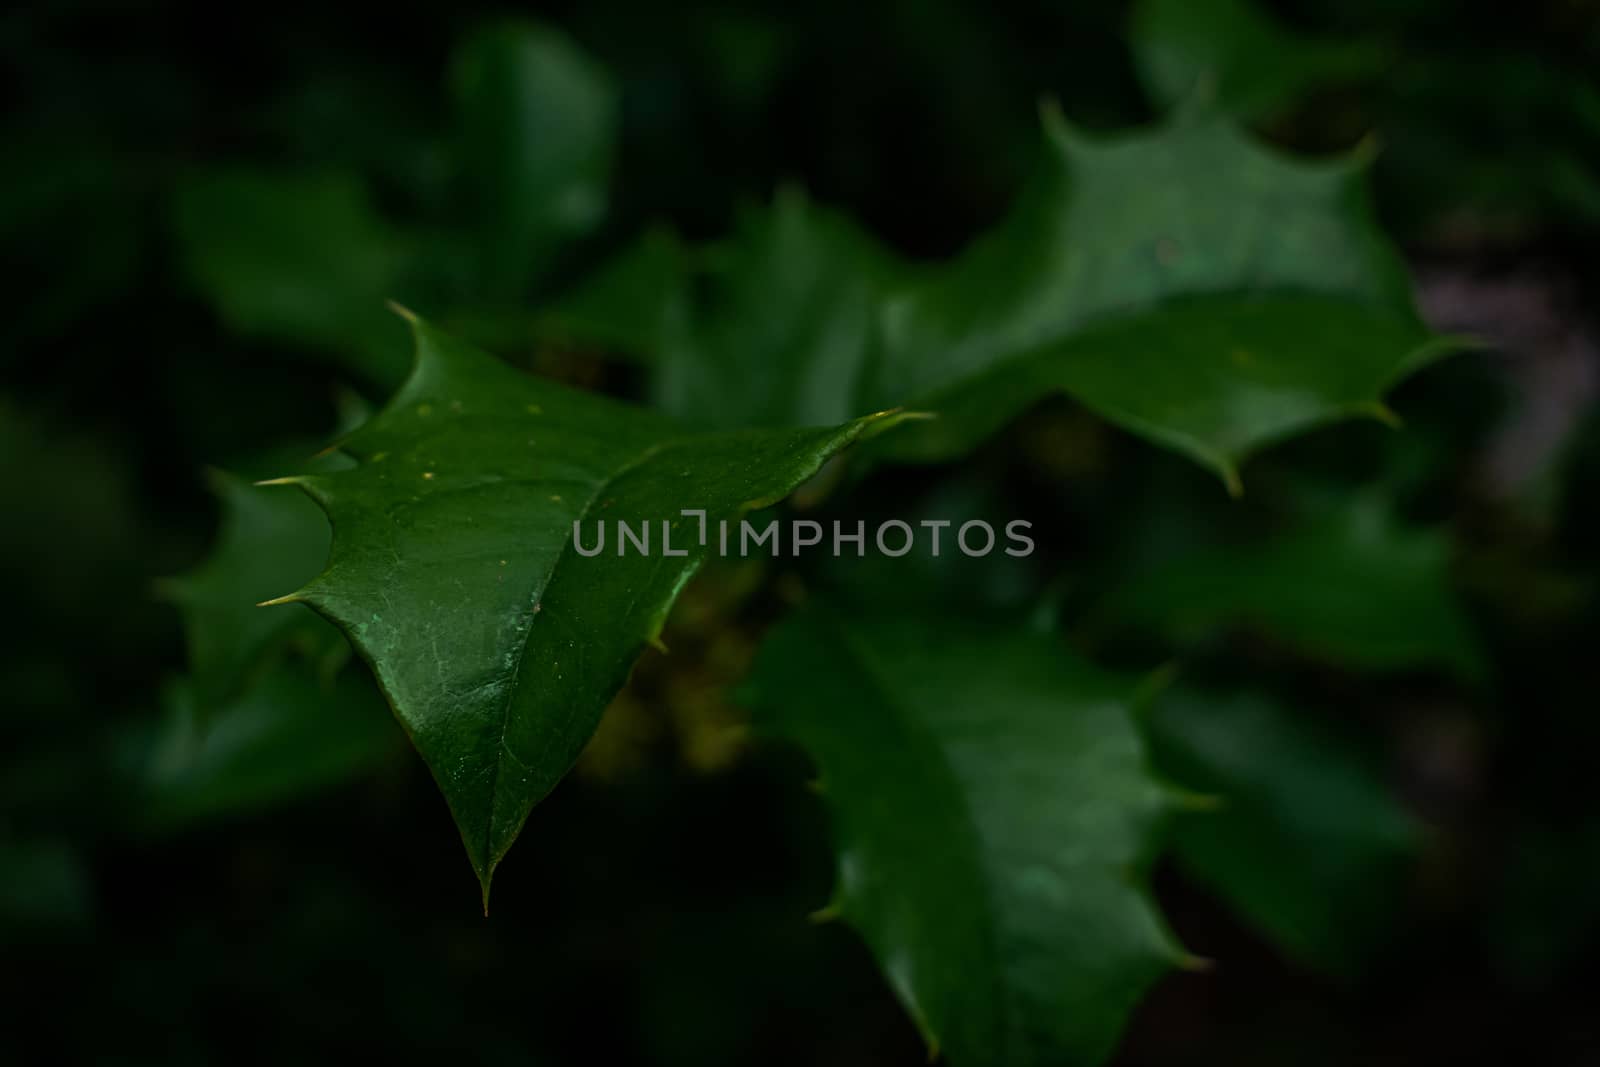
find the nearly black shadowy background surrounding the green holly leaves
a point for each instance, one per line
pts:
(657, 906)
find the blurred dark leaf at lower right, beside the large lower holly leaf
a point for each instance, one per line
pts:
(1306, 842)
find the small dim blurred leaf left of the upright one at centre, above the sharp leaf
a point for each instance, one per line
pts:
(631, 305)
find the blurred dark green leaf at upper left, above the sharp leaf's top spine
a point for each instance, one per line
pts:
(302, 260)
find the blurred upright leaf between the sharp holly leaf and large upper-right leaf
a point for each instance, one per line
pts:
(786, 332)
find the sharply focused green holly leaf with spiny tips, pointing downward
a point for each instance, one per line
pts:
(455, 572)
